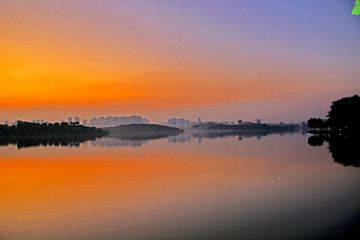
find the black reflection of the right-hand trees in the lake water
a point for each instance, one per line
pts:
(344, 149)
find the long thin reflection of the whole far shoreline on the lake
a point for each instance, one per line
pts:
(127, 139)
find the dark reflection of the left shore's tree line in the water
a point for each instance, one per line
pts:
(59, 140)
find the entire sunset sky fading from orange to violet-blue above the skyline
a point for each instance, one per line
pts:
(215, 59)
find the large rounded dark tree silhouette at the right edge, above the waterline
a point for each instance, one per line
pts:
(344, 115)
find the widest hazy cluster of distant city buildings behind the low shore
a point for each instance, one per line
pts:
(116, 121)
